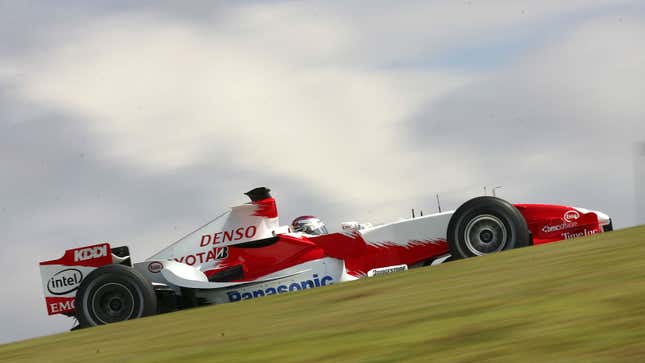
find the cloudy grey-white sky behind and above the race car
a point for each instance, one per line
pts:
(135, 123)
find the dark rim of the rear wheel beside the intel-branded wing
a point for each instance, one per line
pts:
(113, 302)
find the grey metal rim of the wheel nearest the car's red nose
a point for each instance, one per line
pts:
(485, 234)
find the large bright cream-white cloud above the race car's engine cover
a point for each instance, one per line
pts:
(166, 97)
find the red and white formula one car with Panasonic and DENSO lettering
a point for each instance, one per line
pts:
(245, 254)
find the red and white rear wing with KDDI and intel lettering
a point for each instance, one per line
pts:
(62, 277)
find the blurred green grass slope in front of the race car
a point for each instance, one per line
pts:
(574, 301)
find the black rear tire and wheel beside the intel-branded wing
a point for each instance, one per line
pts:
(114, 293)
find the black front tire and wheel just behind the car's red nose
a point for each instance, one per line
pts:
(486, 225)
